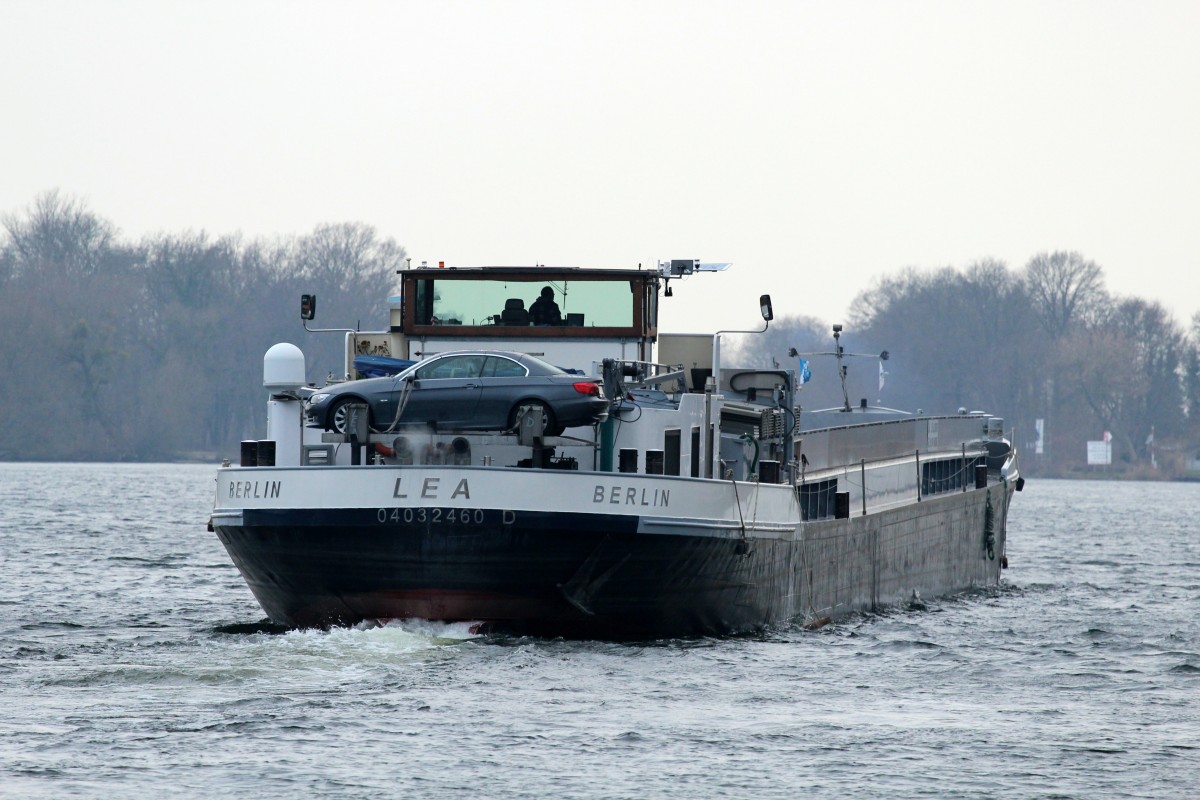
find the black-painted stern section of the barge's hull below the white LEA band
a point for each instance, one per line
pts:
(557, 575)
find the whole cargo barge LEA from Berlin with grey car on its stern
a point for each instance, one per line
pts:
(704, 501)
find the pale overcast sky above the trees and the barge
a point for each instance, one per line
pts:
(817, 146)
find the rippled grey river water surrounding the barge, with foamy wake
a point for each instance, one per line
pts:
(135, 663)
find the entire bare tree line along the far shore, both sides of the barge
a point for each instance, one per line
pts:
(152, 350)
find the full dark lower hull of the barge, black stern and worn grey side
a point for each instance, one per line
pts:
(602, 576)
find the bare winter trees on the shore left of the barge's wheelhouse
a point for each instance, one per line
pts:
(152, 351)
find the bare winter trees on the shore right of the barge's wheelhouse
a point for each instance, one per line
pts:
(1046, 347)
